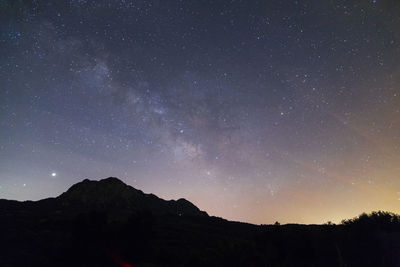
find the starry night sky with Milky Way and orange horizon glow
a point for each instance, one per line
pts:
(257, 111)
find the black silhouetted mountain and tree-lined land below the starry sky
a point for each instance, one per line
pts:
(108, 223)
